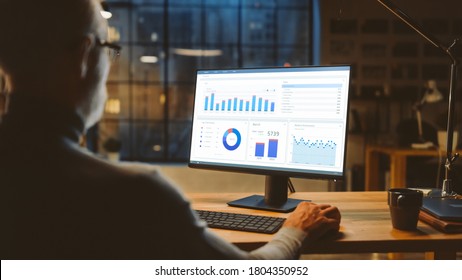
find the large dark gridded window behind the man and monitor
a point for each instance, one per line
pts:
(151, 86)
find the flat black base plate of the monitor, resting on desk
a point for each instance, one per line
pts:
(258, 202)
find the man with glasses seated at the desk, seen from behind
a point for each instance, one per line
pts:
(59, 201)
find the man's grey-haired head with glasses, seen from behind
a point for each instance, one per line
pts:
(51, 48)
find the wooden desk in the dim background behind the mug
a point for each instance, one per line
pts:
(398, 159)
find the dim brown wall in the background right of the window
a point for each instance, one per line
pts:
(391, 63)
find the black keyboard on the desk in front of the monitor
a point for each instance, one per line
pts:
(242, 222)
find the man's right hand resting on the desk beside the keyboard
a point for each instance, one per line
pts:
(316, 220)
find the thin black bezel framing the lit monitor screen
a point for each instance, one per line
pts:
(265, 170)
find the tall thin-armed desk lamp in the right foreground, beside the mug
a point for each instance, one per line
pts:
(450, 157)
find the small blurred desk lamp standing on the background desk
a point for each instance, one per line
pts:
(431, 95)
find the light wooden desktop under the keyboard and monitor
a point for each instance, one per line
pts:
(365, 227)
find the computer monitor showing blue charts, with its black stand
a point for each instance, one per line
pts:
(279, 121)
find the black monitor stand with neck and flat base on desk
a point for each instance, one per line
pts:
(275, 198)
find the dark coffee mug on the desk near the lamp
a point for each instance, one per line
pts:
(404, 207)
